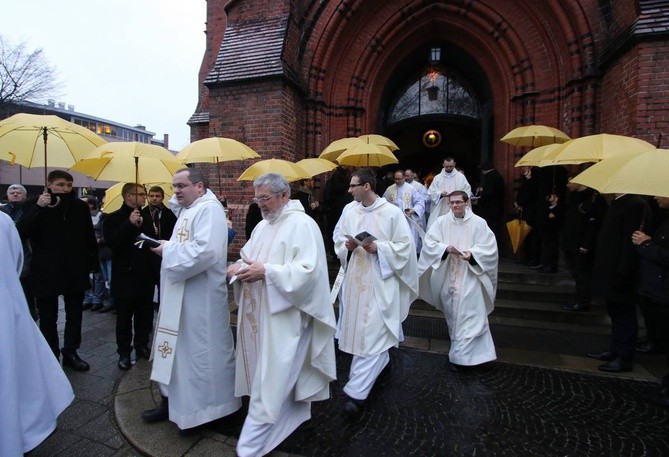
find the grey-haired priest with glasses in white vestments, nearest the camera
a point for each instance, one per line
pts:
(286, 324)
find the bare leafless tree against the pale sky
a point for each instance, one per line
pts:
(25, 75)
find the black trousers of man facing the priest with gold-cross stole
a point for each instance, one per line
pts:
(139, 308)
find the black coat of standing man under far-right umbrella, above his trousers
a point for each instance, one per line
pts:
(616, 261)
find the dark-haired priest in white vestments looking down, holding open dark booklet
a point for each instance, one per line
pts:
(380, 283)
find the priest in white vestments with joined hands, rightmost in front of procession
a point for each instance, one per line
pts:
(458, 269)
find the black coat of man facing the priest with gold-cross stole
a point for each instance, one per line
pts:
(132, 272)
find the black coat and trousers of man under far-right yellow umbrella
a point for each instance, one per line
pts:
(615, 271)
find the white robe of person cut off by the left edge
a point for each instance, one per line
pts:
(33, 388)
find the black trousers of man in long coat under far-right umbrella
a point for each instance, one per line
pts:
(624, 328)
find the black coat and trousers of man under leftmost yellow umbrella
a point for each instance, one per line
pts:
(65, 251)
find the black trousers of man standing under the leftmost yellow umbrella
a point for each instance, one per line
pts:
(48, 316)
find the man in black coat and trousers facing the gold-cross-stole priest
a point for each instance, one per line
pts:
(133, 277)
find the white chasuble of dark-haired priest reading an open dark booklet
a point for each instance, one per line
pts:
(378, 287)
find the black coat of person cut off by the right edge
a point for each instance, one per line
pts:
(654, 269)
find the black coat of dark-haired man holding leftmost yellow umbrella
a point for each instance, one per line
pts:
(64, 247)
